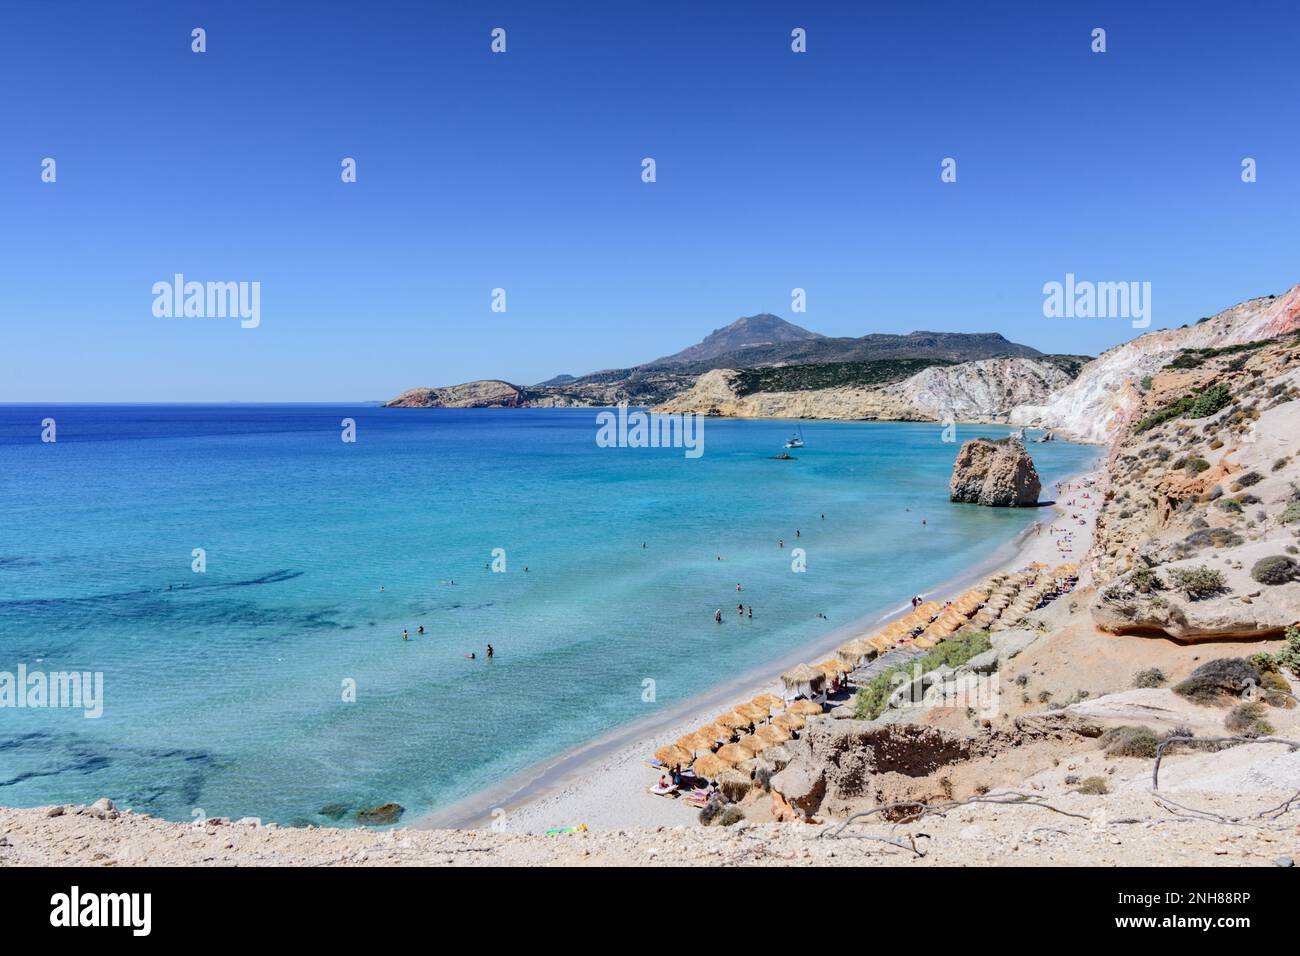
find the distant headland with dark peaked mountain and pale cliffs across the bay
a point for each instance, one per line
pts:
(746, 369)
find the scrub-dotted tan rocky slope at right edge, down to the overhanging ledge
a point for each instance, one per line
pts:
(1204, 486)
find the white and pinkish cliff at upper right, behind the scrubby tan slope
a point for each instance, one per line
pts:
(1107, 395)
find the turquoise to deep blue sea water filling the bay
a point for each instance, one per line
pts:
(226, 691)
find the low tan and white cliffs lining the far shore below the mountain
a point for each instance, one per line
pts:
(983, 391)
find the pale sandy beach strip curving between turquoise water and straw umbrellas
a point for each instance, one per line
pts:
(604, 785)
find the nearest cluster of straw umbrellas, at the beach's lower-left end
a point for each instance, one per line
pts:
(739, 736)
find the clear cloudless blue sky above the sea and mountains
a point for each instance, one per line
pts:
(523, 171)
